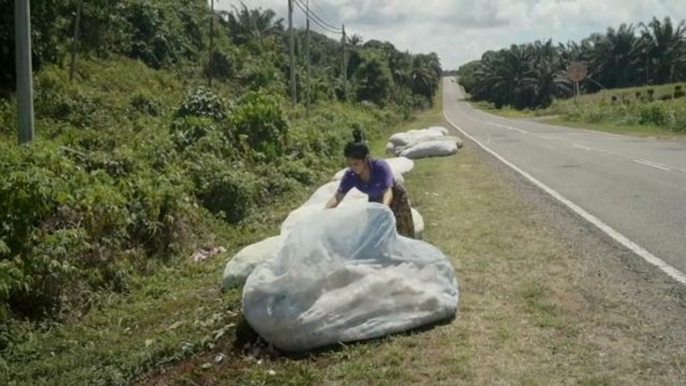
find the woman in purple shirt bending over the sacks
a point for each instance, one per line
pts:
(374, 177)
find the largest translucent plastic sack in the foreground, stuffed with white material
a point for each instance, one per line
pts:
(345, 275)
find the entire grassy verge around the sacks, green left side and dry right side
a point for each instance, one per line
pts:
(525, 316)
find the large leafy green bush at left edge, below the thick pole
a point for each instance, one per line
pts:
(64, 227)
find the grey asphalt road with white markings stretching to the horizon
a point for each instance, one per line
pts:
(636, 186)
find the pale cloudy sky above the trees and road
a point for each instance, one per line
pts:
(462, 30)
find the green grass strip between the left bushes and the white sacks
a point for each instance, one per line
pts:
(170, 315)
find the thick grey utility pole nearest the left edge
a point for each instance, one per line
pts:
(22, 25)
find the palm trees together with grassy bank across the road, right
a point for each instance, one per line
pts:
(635, 80)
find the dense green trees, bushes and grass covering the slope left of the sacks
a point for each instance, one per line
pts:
(138, 163)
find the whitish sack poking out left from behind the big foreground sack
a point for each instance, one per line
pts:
(245, 261)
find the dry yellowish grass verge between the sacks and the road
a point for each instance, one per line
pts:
(526, 315)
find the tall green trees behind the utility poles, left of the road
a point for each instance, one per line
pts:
(251, 48)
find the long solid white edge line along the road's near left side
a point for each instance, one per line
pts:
(637, 249)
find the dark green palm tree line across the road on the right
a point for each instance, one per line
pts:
(530, 76)
